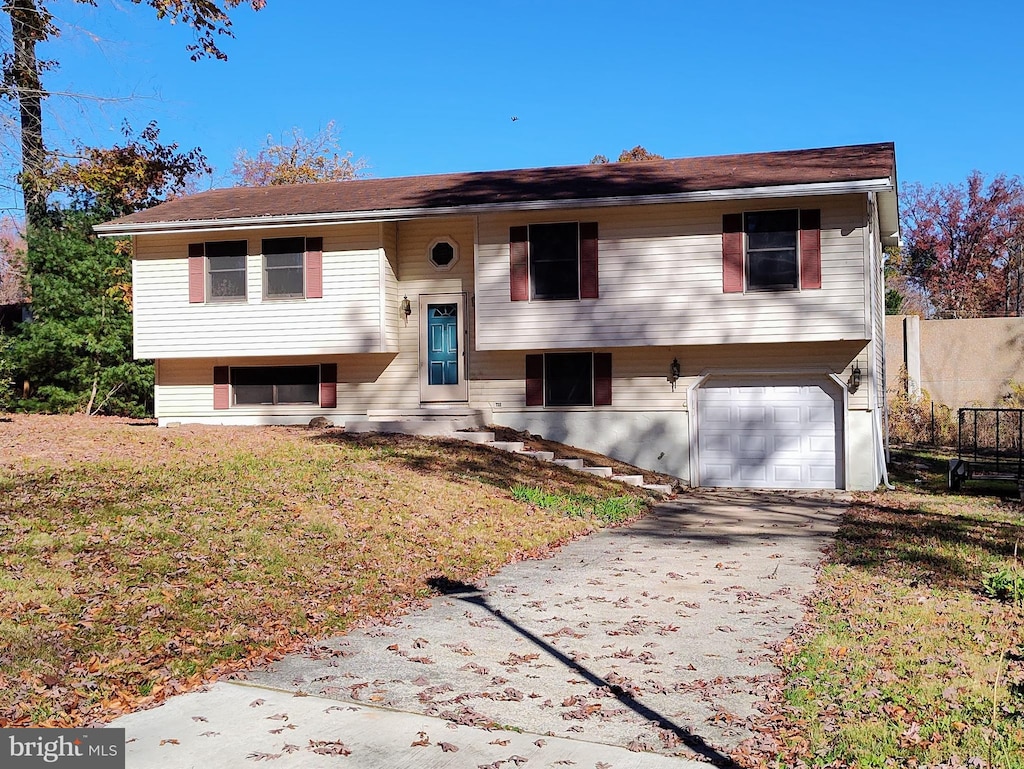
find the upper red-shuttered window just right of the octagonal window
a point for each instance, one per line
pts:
(554, 262)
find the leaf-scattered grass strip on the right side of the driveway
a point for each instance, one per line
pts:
(905, 660)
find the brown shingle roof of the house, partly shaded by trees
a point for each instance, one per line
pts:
(841, 164)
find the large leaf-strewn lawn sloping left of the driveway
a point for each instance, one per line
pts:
(139, 563)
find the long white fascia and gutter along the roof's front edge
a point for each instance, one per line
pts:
(350, 218)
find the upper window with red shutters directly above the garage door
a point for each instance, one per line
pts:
(772, 251)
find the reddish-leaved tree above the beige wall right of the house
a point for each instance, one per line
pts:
(963, 245)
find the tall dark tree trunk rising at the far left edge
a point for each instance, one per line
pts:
(28, 27)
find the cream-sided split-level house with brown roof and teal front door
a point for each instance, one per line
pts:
(720, 319)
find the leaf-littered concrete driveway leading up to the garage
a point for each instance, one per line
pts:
(644, 647)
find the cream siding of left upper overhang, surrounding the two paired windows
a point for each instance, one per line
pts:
(349, 319)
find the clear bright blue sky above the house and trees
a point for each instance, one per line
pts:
(432, 88)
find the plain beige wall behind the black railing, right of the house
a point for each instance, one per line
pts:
(963, 363)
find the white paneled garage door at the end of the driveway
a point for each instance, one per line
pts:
(767, 438)
